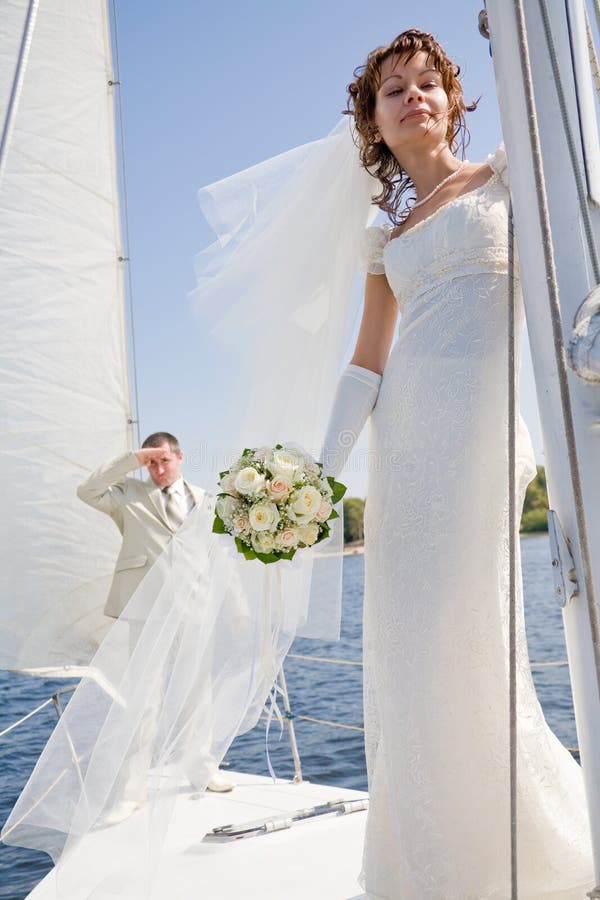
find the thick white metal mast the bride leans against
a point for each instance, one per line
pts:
(544, 79)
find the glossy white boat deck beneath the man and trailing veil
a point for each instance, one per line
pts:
(318, 859)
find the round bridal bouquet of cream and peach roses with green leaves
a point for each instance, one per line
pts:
(274, 502)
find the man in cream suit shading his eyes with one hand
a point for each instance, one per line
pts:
(147, 513)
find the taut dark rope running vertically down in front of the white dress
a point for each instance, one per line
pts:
(512, 553)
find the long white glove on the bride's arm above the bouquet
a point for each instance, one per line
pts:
(355, 398)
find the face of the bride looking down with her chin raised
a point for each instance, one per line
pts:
(411, 103)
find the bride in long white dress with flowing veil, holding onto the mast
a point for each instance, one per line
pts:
(436, 561)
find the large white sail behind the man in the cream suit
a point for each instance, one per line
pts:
(63, 380)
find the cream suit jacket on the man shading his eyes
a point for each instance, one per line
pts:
(137, 509)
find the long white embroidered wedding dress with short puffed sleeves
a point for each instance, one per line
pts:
(436, 594)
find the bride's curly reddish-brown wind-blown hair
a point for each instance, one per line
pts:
(375, 156)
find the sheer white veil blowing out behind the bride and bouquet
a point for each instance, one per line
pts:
(276, 298)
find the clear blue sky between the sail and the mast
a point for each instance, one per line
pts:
(209, 89)
